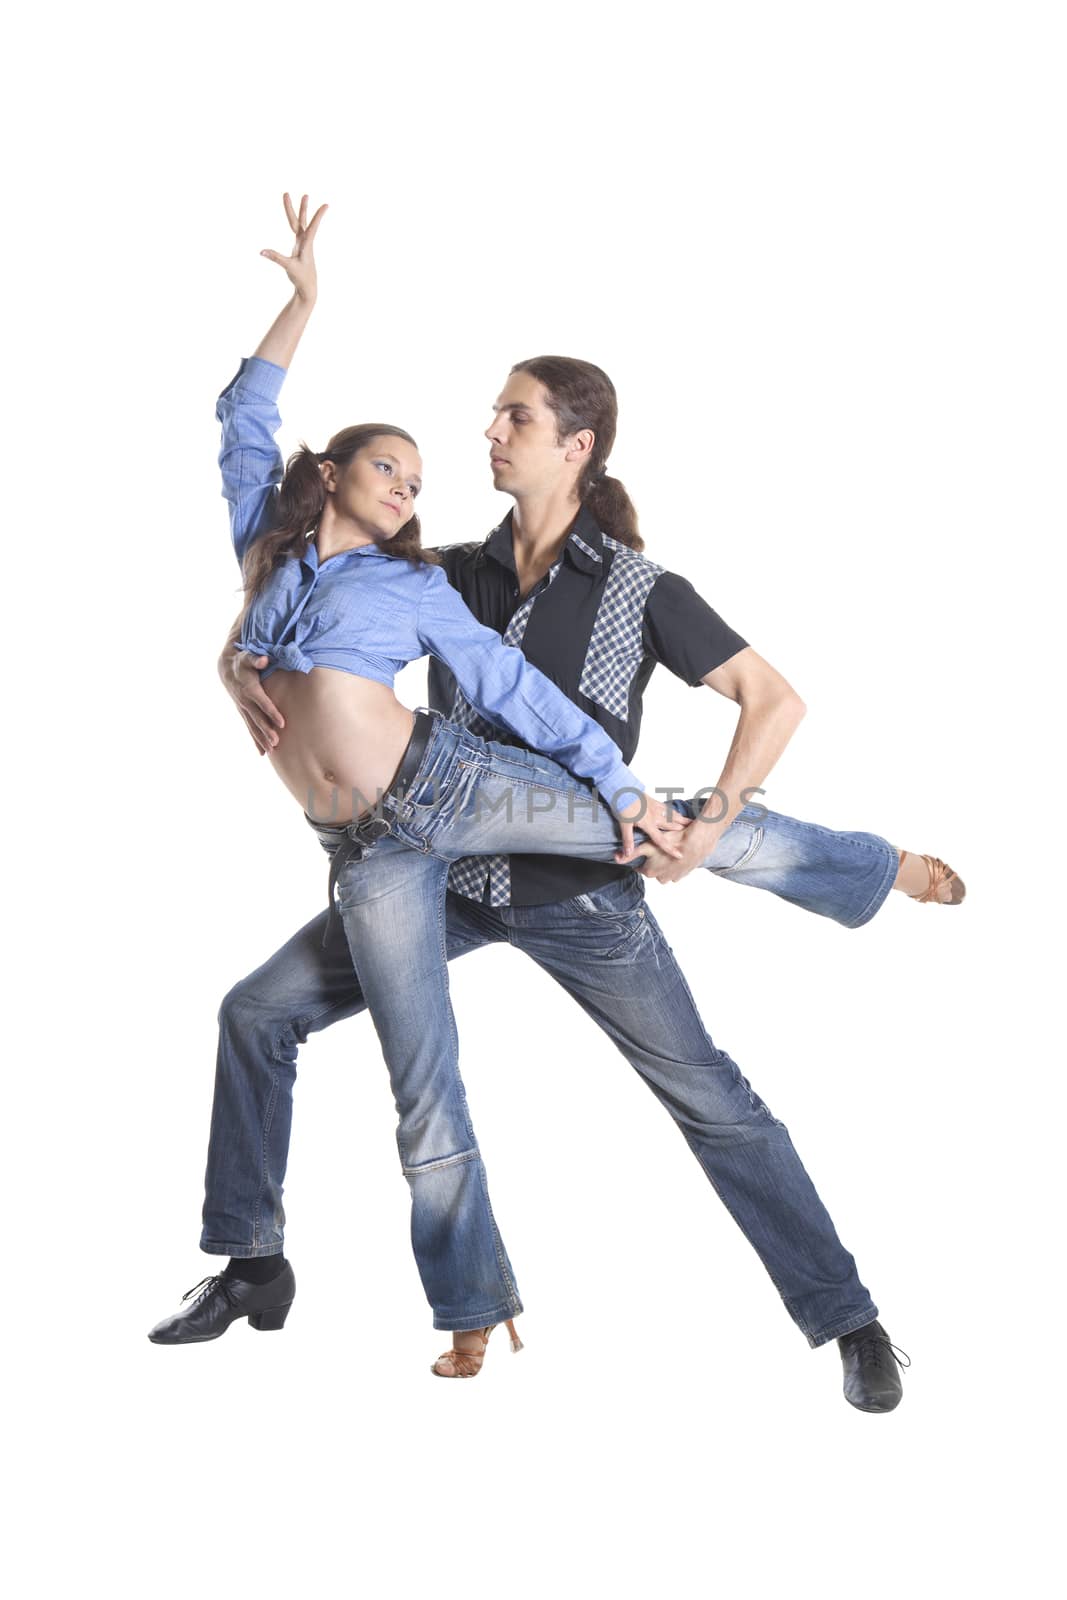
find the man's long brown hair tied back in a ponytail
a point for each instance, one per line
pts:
(583, 396)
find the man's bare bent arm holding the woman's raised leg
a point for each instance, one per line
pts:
(770, 714)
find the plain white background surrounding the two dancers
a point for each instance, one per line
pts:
(820, 250)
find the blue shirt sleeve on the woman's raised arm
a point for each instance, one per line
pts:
(250, 458)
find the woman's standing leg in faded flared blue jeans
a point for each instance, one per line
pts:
(393, 908)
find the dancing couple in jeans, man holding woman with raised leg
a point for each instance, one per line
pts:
(505, 814)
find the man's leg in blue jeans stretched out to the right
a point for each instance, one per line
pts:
(609, 953)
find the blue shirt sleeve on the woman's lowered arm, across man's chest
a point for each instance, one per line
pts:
(506, 689)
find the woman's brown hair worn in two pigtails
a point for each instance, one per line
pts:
(303, 500)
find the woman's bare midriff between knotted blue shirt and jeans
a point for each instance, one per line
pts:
(343, 740)
